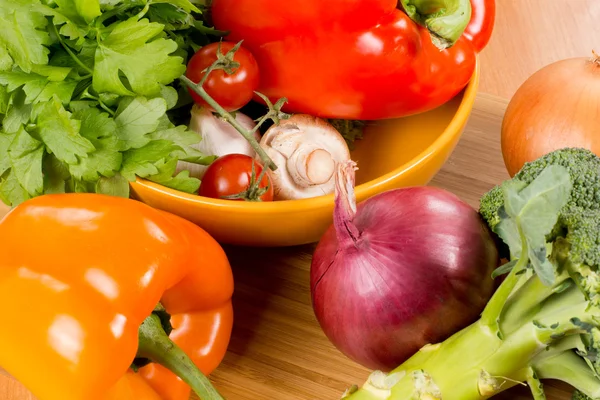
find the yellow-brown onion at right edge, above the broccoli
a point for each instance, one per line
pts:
(555, 108)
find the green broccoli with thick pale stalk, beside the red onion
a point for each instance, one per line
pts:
(543, 321)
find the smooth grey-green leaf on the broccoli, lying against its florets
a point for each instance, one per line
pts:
(532, 210)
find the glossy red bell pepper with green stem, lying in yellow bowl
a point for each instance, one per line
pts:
(360, 59)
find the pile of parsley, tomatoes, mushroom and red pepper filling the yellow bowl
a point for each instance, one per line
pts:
(97, 93)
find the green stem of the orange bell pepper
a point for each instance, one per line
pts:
(155, 345)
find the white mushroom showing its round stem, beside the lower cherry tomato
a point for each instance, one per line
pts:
(306, 150)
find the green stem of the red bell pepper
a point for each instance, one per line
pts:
(446, 20)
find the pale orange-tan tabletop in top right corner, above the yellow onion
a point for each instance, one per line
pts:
(530, 34)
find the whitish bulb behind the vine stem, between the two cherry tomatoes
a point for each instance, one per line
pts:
(218, 138)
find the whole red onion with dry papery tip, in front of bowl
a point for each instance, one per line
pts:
(405, 268)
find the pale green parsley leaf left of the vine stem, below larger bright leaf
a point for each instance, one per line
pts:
(136, 119)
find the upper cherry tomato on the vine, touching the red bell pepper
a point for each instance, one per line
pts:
(232, 92)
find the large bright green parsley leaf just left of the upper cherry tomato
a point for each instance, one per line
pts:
(146, 63)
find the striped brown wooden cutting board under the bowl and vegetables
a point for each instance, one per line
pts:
(278, 351)
